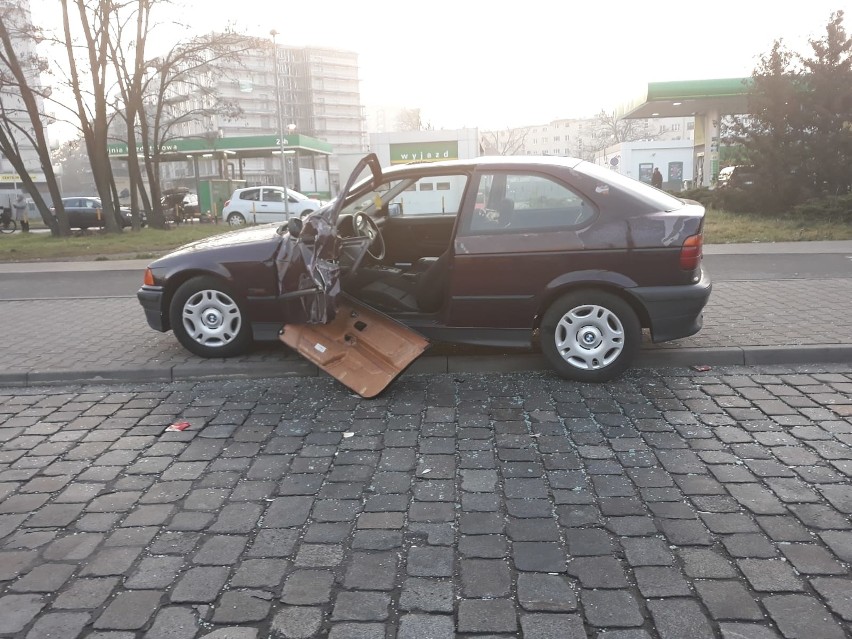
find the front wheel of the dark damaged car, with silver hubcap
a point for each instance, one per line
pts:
(209, 319)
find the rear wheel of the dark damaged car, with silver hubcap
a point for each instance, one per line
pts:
(590, 335)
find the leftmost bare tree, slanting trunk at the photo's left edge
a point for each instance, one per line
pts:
(21, 100)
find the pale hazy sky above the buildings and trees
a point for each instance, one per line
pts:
(492, 65)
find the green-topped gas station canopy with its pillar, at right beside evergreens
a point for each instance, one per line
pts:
(707, 100)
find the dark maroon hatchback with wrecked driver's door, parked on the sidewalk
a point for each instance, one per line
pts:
(501, 251)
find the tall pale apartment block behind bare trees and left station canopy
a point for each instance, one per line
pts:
(320, 95)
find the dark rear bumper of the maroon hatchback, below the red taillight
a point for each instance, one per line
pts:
(675, 311)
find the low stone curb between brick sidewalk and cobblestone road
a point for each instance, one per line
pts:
(648, 358)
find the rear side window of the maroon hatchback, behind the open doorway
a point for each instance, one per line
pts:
(518, 202)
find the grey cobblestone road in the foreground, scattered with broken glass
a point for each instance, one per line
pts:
(670, 504)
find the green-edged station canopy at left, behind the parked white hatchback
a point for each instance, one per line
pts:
(310, 154)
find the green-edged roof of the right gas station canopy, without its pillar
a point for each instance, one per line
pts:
(688, 98)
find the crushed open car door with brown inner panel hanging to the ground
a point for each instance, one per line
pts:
(353, 343)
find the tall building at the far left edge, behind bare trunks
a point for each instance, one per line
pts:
(16, 17)
